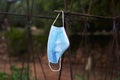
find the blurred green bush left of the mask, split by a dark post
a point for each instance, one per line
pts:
(17, 41)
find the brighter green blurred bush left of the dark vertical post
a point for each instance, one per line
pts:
(16, 40)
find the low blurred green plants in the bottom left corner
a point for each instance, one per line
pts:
(16, 74)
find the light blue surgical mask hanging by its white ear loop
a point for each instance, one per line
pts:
(58, 43)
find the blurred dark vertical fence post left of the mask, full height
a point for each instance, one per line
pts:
(29, 38)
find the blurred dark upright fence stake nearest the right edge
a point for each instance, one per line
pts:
(112, 51)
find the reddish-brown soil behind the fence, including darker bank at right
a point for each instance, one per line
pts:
(100, 72)
